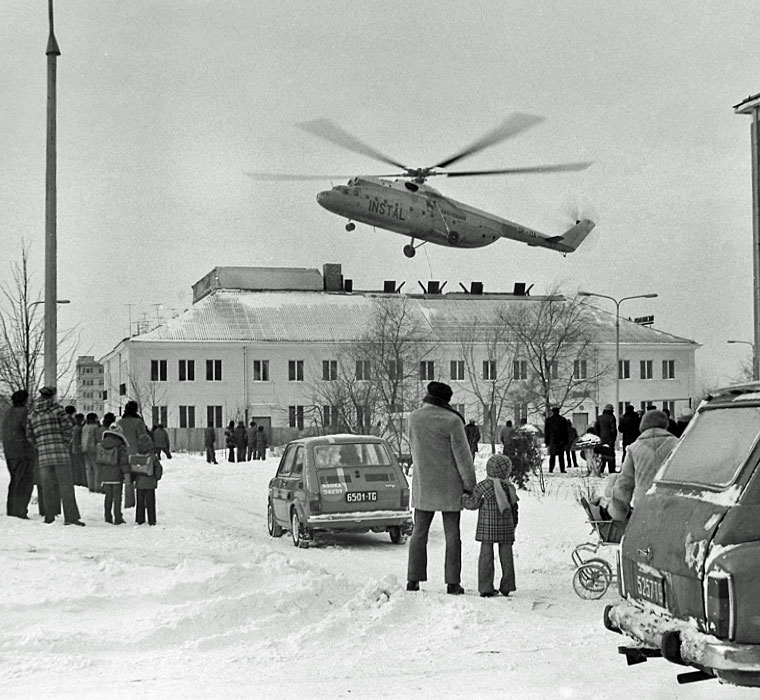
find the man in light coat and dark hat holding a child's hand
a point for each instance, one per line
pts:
(443, 472)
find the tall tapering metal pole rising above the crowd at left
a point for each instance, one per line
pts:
(51, 291)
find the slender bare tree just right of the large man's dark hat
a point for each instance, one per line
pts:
(488, 352)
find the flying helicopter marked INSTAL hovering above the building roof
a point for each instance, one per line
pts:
(409, 206)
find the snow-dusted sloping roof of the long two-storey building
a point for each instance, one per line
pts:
(226, 315)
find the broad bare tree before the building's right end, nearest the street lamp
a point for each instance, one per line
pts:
(554, 335)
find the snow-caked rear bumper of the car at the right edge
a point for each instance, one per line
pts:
(678, 640)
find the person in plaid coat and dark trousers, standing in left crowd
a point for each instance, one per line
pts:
(49, 430)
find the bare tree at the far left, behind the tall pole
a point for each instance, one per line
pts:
(22, 334)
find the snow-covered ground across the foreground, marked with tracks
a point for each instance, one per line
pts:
(206, 604)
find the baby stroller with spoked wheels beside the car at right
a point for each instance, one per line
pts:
(593, 573)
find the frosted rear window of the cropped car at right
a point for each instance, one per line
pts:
(715, 448)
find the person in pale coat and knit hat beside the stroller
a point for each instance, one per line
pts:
(643, 459)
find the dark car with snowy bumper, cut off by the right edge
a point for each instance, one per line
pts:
(689, 562)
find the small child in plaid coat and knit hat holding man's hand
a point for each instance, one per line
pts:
(496, 499)
